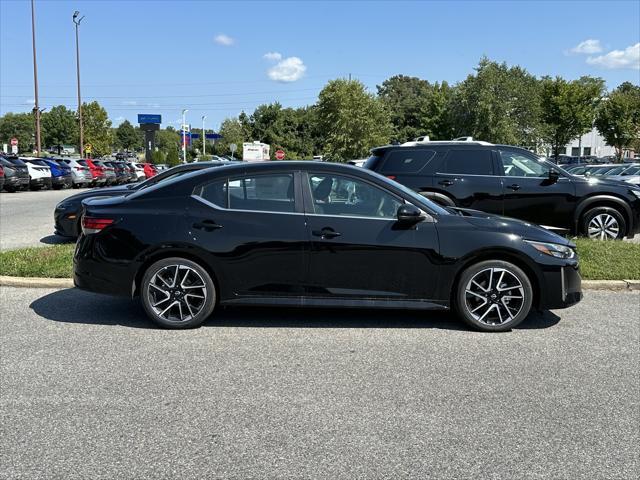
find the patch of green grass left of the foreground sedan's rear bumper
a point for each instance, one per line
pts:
(52, 262)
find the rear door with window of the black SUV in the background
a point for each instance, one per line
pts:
(468, 176)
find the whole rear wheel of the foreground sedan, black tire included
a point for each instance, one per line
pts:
(195, 311)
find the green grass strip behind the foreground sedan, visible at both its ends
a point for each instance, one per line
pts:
(598, 261)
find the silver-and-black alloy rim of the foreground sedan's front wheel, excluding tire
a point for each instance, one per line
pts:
(494, 296)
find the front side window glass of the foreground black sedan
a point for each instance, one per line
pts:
(338, 195)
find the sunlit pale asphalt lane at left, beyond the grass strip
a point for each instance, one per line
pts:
(26, 218)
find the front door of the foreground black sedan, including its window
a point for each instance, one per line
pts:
(358, 248)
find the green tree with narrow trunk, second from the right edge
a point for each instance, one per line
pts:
(568, 109)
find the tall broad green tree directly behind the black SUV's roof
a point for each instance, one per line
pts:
(498, 104)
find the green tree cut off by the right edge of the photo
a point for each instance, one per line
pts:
(618, 118)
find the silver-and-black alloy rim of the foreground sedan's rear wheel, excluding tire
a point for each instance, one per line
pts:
(177, 293)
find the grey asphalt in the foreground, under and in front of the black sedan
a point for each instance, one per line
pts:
(91, 390)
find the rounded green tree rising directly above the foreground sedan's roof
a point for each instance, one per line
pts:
(351, 120)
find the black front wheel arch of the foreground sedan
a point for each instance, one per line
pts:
(506, 255)
